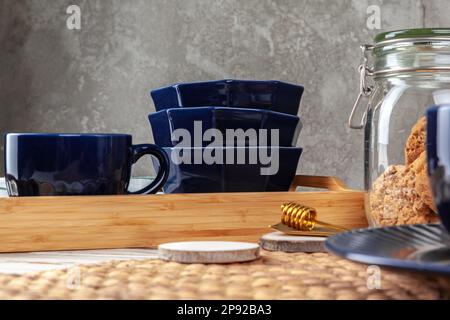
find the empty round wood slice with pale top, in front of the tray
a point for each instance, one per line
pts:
(208, 251)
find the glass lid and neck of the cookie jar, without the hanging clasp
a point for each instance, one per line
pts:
(411, 51)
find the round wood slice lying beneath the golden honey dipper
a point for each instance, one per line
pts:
(278, 241)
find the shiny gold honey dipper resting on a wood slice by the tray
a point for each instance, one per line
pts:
(297, 219)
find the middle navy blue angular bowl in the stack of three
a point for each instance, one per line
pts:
(165, 122)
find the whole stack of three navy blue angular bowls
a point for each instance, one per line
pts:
(228, 135)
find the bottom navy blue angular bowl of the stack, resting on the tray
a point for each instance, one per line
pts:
(197, 175)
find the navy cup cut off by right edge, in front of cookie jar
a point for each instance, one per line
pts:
(438, 155)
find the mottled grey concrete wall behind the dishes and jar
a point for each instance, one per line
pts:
(98, 79)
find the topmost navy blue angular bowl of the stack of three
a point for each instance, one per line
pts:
(272, 95)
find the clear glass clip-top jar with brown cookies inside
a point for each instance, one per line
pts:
(403, 73)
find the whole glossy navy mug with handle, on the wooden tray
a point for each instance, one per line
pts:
(40, 164)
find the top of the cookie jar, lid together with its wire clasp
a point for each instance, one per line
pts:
(411, 53)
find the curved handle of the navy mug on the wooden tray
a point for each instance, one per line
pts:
(138, 151)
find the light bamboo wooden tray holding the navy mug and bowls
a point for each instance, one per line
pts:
(95, 222)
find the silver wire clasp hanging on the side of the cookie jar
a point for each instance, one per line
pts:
(365, 89)
